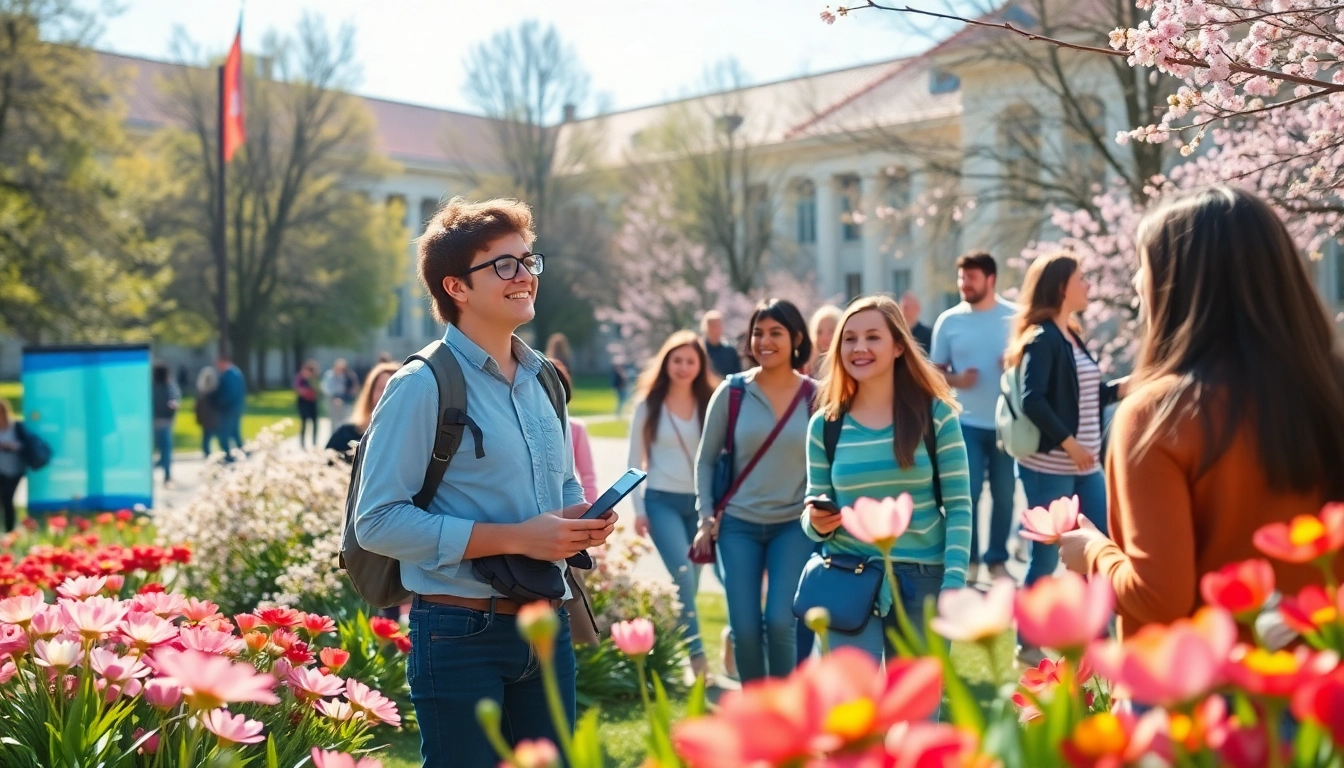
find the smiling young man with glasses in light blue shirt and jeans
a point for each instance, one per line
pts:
(519, 498)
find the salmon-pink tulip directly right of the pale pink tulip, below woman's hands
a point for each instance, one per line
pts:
(1064, 613)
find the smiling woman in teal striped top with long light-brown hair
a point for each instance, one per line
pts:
(890, 406)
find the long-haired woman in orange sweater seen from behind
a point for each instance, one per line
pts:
(1236, 416)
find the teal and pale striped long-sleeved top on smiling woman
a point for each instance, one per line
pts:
(868, 467)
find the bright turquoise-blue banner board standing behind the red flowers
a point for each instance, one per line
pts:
(92, 404)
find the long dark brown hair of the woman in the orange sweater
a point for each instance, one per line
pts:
(1241, 337)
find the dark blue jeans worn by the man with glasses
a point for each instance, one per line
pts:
(460, 657)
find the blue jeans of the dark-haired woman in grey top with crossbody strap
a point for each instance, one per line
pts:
(764, 642)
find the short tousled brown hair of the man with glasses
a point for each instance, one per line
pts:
(456, 233)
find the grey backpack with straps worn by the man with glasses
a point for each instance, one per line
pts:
(378, 579)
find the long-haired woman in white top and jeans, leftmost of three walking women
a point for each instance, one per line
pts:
(673, 399)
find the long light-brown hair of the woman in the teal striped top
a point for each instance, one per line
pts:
(917, 384)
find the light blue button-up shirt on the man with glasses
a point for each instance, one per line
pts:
(528, 469)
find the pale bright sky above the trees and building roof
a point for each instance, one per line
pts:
(636, 52)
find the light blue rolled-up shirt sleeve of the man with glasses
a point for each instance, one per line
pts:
(396, 455)
